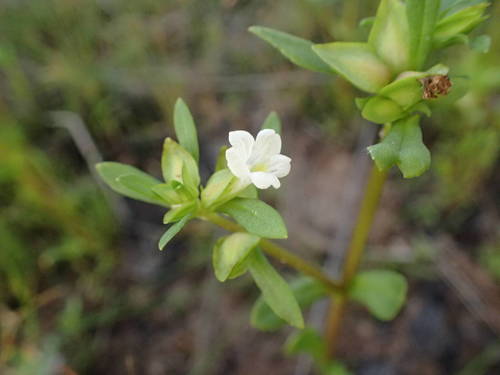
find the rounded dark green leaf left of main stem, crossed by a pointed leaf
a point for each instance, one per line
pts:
(306, 291)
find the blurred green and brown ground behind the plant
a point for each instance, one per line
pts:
(83, 289)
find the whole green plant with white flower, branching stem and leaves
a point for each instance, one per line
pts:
(391, 69)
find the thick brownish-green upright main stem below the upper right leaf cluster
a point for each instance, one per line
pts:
(371, 199)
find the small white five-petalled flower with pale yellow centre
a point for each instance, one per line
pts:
(257, 161)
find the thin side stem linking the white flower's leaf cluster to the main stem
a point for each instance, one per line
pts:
(280, 253)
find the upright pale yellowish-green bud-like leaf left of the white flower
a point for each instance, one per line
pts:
(179, 165)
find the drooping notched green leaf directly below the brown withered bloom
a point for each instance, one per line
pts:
(403, 147)
